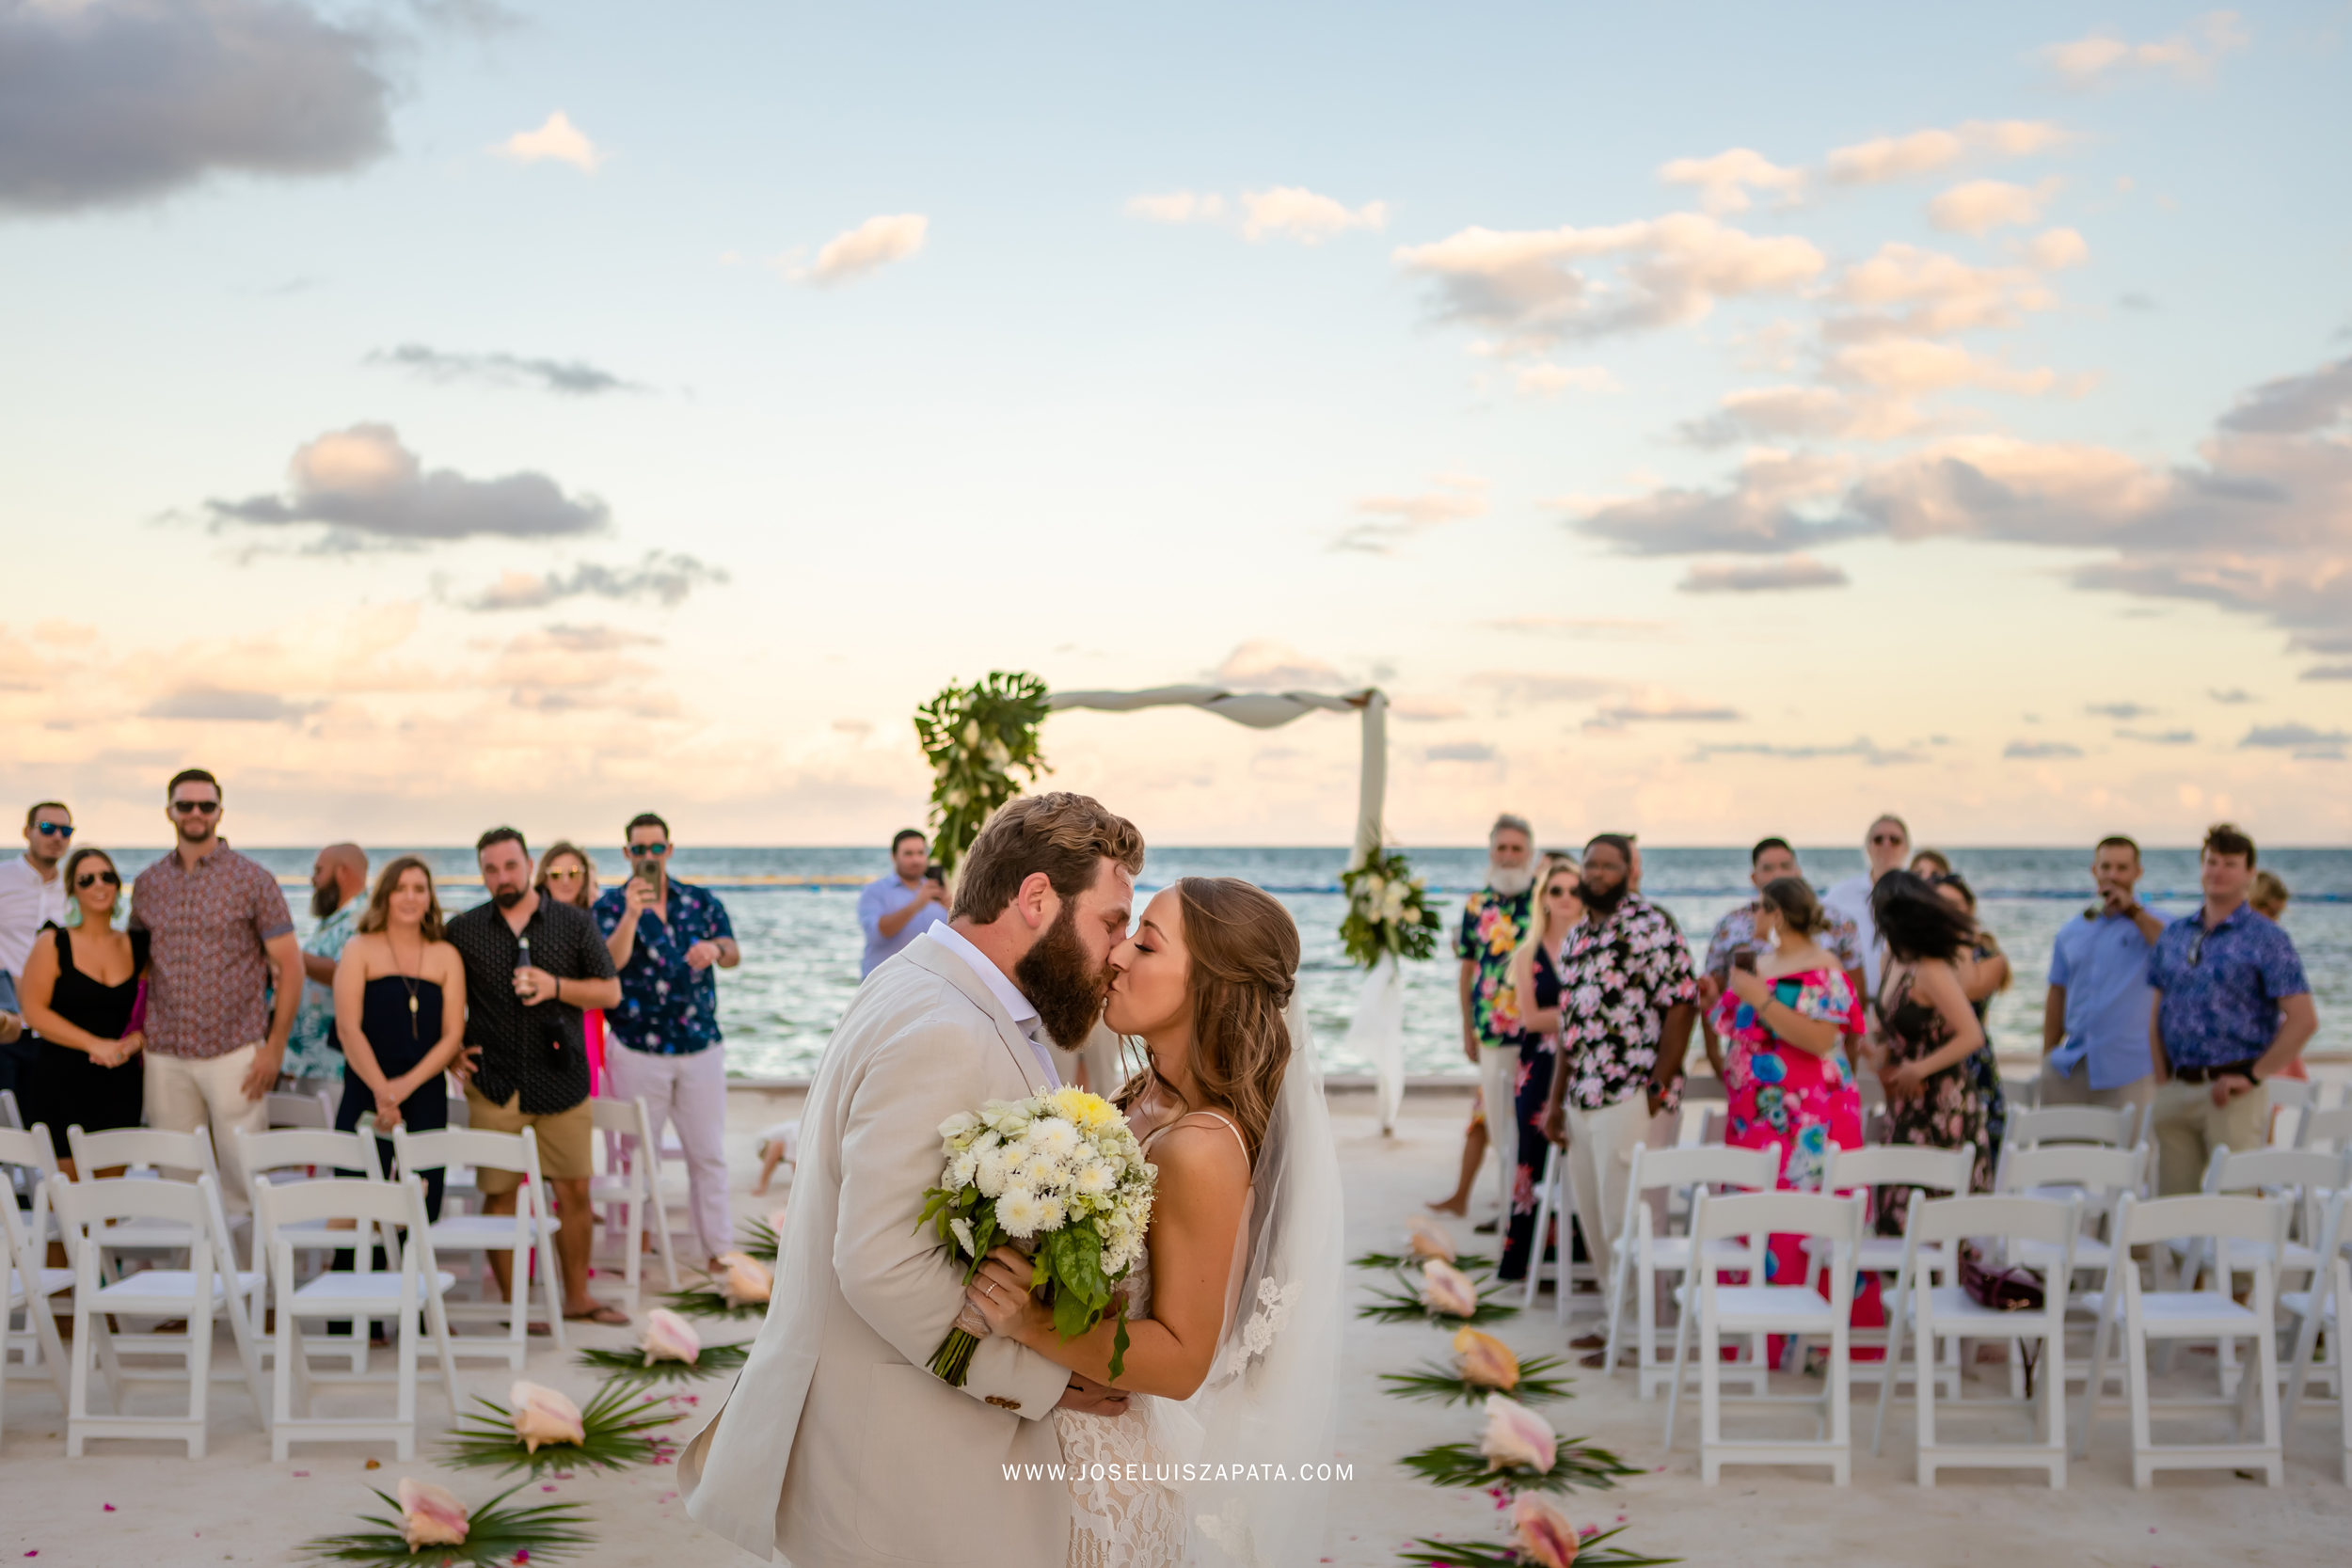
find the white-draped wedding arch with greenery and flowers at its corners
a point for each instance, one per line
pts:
(977, 737)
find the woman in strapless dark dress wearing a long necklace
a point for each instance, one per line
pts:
(401, 1014)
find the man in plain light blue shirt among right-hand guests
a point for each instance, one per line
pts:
(2094, 1026)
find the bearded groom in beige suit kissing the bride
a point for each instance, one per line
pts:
(838, 1447)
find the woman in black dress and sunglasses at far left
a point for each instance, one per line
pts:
(81, 996)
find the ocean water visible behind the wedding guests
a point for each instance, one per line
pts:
(796, 918)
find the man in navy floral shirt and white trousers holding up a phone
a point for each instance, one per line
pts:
(669, 939)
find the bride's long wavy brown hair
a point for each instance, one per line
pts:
(1241, 970)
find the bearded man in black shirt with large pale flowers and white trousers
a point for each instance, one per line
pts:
(1629, 998)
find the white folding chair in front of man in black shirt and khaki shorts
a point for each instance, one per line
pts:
(516, 1235)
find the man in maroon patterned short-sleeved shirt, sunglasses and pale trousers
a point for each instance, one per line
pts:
(220, 939)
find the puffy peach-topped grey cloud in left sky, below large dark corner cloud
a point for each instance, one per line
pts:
(370, 490)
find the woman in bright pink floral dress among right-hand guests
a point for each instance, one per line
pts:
(1784, 1028)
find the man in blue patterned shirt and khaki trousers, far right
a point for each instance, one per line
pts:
(2233, 1010)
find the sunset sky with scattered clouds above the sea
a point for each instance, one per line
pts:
(1697, 420)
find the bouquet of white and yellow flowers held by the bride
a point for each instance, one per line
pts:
(1062, 1179)
